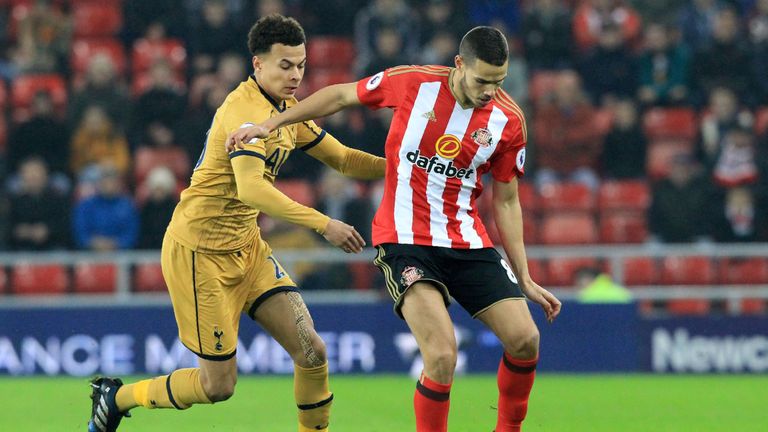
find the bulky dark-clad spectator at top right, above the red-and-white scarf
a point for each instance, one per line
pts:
(726, 62)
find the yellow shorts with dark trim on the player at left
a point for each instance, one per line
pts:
(210, 291)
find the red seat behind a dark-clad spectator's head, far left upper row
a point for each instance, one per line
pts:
(24, 88)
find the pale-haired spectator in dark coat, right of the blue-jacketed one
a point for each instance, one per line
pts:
(158, 209)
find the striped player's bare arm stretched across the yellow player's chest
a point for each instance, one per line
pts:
(324, 102)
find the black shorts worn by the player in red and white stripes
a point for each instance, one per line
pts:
(475, 278)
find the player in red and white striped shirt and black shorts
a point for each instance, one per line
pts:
(450, 126)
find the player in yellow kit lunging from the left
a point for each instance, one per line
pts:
(216, 264)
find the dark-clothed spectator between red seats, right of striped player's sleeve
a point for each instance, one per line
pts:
(624, 148)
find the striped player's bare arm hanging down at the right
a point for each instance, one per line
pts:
(509, 221)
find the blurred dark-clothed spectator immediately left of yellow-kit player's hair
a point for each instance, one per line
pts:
(215, 34)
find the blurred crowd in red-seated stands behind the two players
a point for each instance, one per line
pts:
(105, 106)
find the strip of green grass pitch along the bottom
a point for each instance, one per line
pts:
(382, 403)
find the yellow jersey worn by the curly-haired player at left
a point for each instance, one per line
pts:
(209, 217)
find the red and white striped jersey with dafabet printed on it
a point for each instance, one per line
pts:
(437, 153)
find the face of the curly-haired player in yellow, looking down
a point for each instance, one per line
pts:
(280, 70)
